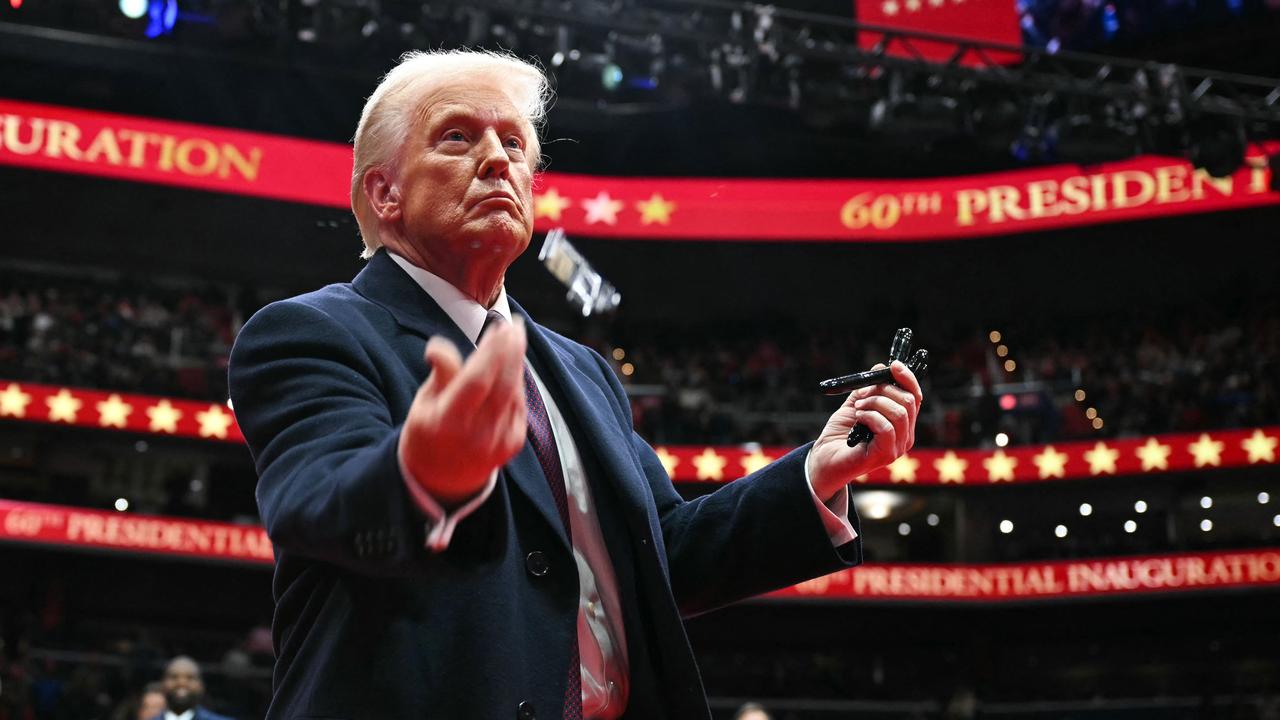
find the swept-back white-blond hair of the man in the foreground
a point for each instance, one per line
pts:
(392, 110)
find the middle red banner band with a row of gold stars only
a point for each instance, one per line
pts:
(1025, 464)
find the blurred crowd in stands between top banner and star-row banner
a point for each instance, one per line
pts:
(1214, 366)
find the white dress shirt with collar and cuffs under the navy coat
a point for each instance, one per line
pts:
(601, 635)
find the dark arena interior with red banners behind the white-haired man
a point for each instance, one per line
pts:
(1068, 202)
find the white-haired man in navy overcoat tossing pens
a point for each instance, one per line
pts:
(465, 523)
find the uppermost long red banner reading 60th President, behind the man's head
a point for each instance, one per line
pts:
(208, 158)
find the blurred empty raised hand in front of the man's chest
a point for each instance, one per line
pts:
(469, 418)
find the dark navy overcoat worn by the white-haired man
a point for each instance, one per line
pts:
(372, 626)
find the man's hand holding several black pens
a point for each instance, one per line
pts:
(888, 411)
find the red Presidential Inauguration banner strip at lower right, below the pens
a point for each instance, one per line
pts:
(1045, 581)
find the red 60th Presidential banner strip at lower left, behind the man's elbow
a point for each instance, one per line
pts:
(126, 532)
